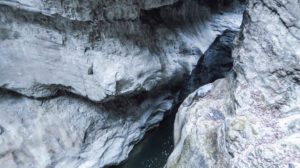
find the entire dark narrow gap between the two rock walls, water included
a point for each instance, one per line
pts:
(154, 149)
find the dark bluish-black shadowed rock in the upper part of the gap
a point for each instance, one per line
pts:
(214, 64)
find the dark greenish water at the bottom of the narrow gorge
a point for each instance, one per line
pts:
(154, 149)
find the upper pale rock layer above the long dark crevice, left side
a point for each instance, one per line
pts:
(102, 49)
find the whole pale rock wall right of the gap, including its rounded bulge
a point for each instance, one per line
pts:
(252, 119)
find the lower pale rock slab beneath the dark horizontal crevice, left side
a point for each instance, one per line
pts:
(68, 132)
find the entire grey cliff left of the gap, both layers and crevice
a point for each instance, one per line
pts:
(82, 81)
